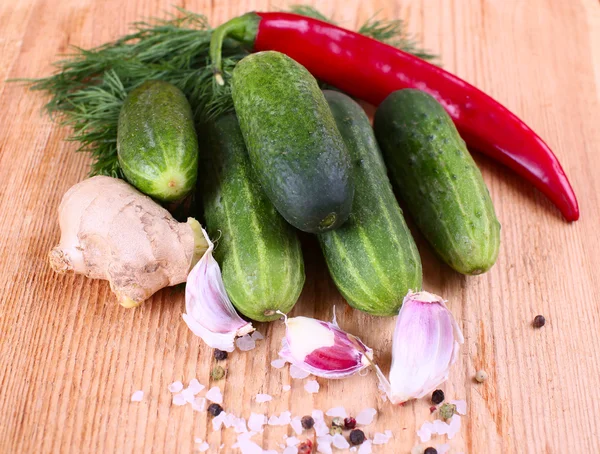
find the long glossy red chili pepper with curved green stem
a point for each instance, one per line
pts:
(368, 69)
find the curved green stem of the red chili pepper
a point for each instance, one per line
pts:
(243, 29)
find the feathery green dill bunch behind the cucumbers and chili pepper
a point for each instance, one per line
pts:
(89, 86)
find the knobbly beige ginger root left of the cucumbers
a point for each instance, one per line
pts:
(111, 231)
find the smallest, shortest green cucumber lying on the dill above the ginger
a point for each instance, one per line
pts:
(156, 141)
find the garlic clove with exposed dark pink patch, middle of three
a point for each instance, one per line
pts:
(323, 349)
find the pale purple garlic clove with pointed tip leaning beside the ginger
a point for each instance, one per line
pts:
(210, 314)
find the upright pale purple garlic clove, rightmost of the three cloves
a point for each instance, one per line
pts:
(425, 345)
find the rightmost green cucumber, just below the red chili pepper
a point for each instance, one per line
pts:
(438, 179)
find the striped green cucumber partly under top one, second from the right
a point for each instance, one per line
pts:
(372, 258)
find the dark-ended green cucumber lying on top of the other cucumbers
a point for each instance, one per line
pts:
(296, 151)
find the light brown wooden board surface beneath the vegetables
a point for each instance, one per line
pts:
(70, 357)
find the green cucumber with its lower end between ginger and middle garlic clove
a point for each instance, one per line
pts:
(259, 253)
